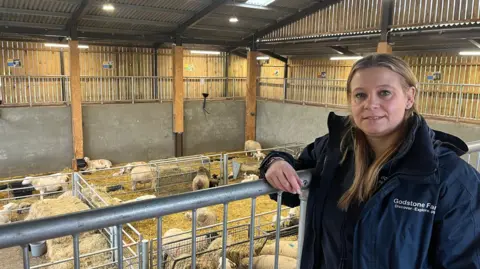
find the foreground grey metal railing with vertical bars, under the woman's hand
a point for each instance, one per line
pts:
(21, 234)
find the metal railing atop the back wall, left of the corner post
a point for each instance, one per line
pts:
(55, 90)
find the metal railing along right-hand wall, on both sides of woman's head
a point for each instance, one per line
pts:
(455, 101)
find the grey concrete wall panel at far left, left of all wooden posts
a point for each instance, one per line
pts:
(35, 140)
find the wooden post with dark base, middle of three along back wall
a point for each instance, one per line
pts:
(178, 97)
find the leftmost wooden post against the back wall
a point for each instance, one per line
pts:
(76, 103)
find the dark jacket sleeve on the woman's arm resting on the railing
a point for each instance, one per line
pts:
(306, 160)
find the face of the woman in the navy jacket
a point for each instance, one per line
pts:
(379, 101)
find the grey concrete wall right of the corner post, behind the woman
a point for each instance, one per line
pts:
(279, 123)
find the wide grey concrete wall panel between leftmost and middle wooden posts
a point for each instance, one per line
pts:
(126, 132)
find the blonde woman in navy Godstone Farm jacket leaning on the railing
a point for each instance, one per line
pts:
(387, 191)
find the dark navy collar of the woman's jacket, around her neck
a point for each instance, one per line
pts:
(417, 157)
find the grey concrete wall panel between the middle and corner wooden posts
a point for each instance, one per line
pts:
(221, 130)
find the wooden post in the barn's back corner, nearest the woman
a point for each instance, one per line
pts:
(251, 96)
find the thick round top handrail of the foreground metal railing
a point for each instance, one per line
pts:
(22, 233)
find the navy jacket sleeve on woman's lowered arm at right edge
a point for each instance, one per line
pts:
(457, 232)
